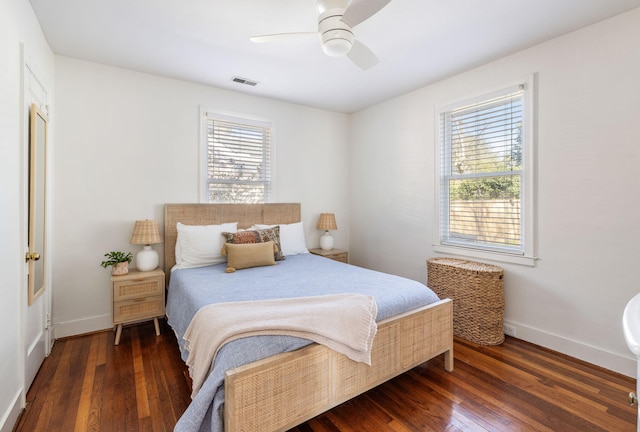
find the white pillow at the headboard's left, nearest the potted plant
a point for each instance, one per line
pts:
(199, 245)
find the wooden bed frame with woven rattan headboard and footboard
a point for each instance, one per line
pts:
(282, 391)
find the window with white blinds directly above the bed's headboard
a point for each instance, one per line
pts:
(238, 160)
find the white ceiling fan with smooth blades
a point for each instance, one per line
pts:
(336, 19)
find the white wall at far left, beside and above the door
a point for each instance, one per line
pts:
(18, 25)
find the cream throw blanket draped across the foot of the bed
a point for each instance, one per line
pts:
(343, 322)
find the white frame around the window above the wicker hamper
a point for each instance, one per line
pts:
(527, 256)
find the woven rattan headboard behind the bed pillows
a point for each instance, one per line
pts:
(213, 214)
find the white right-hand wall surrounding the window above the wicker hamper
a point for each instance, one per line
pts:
(588, 153)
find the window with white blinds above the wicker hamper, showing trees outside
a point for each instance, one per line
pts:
(485, 175)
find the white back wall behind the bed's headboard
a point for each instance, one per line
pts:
(127, 143)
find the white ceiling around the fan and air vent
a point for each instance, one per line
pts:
(418, 42)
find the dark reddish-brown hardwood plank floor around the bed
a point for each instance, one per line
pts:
(88, 384)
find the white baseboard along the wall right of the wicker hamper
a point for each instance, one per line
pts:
(625, 364)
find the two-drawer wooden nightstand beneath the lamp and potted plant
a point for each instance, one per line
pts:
(137, 296)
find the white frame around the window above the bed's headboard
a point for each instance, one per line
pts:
(209, 114)
